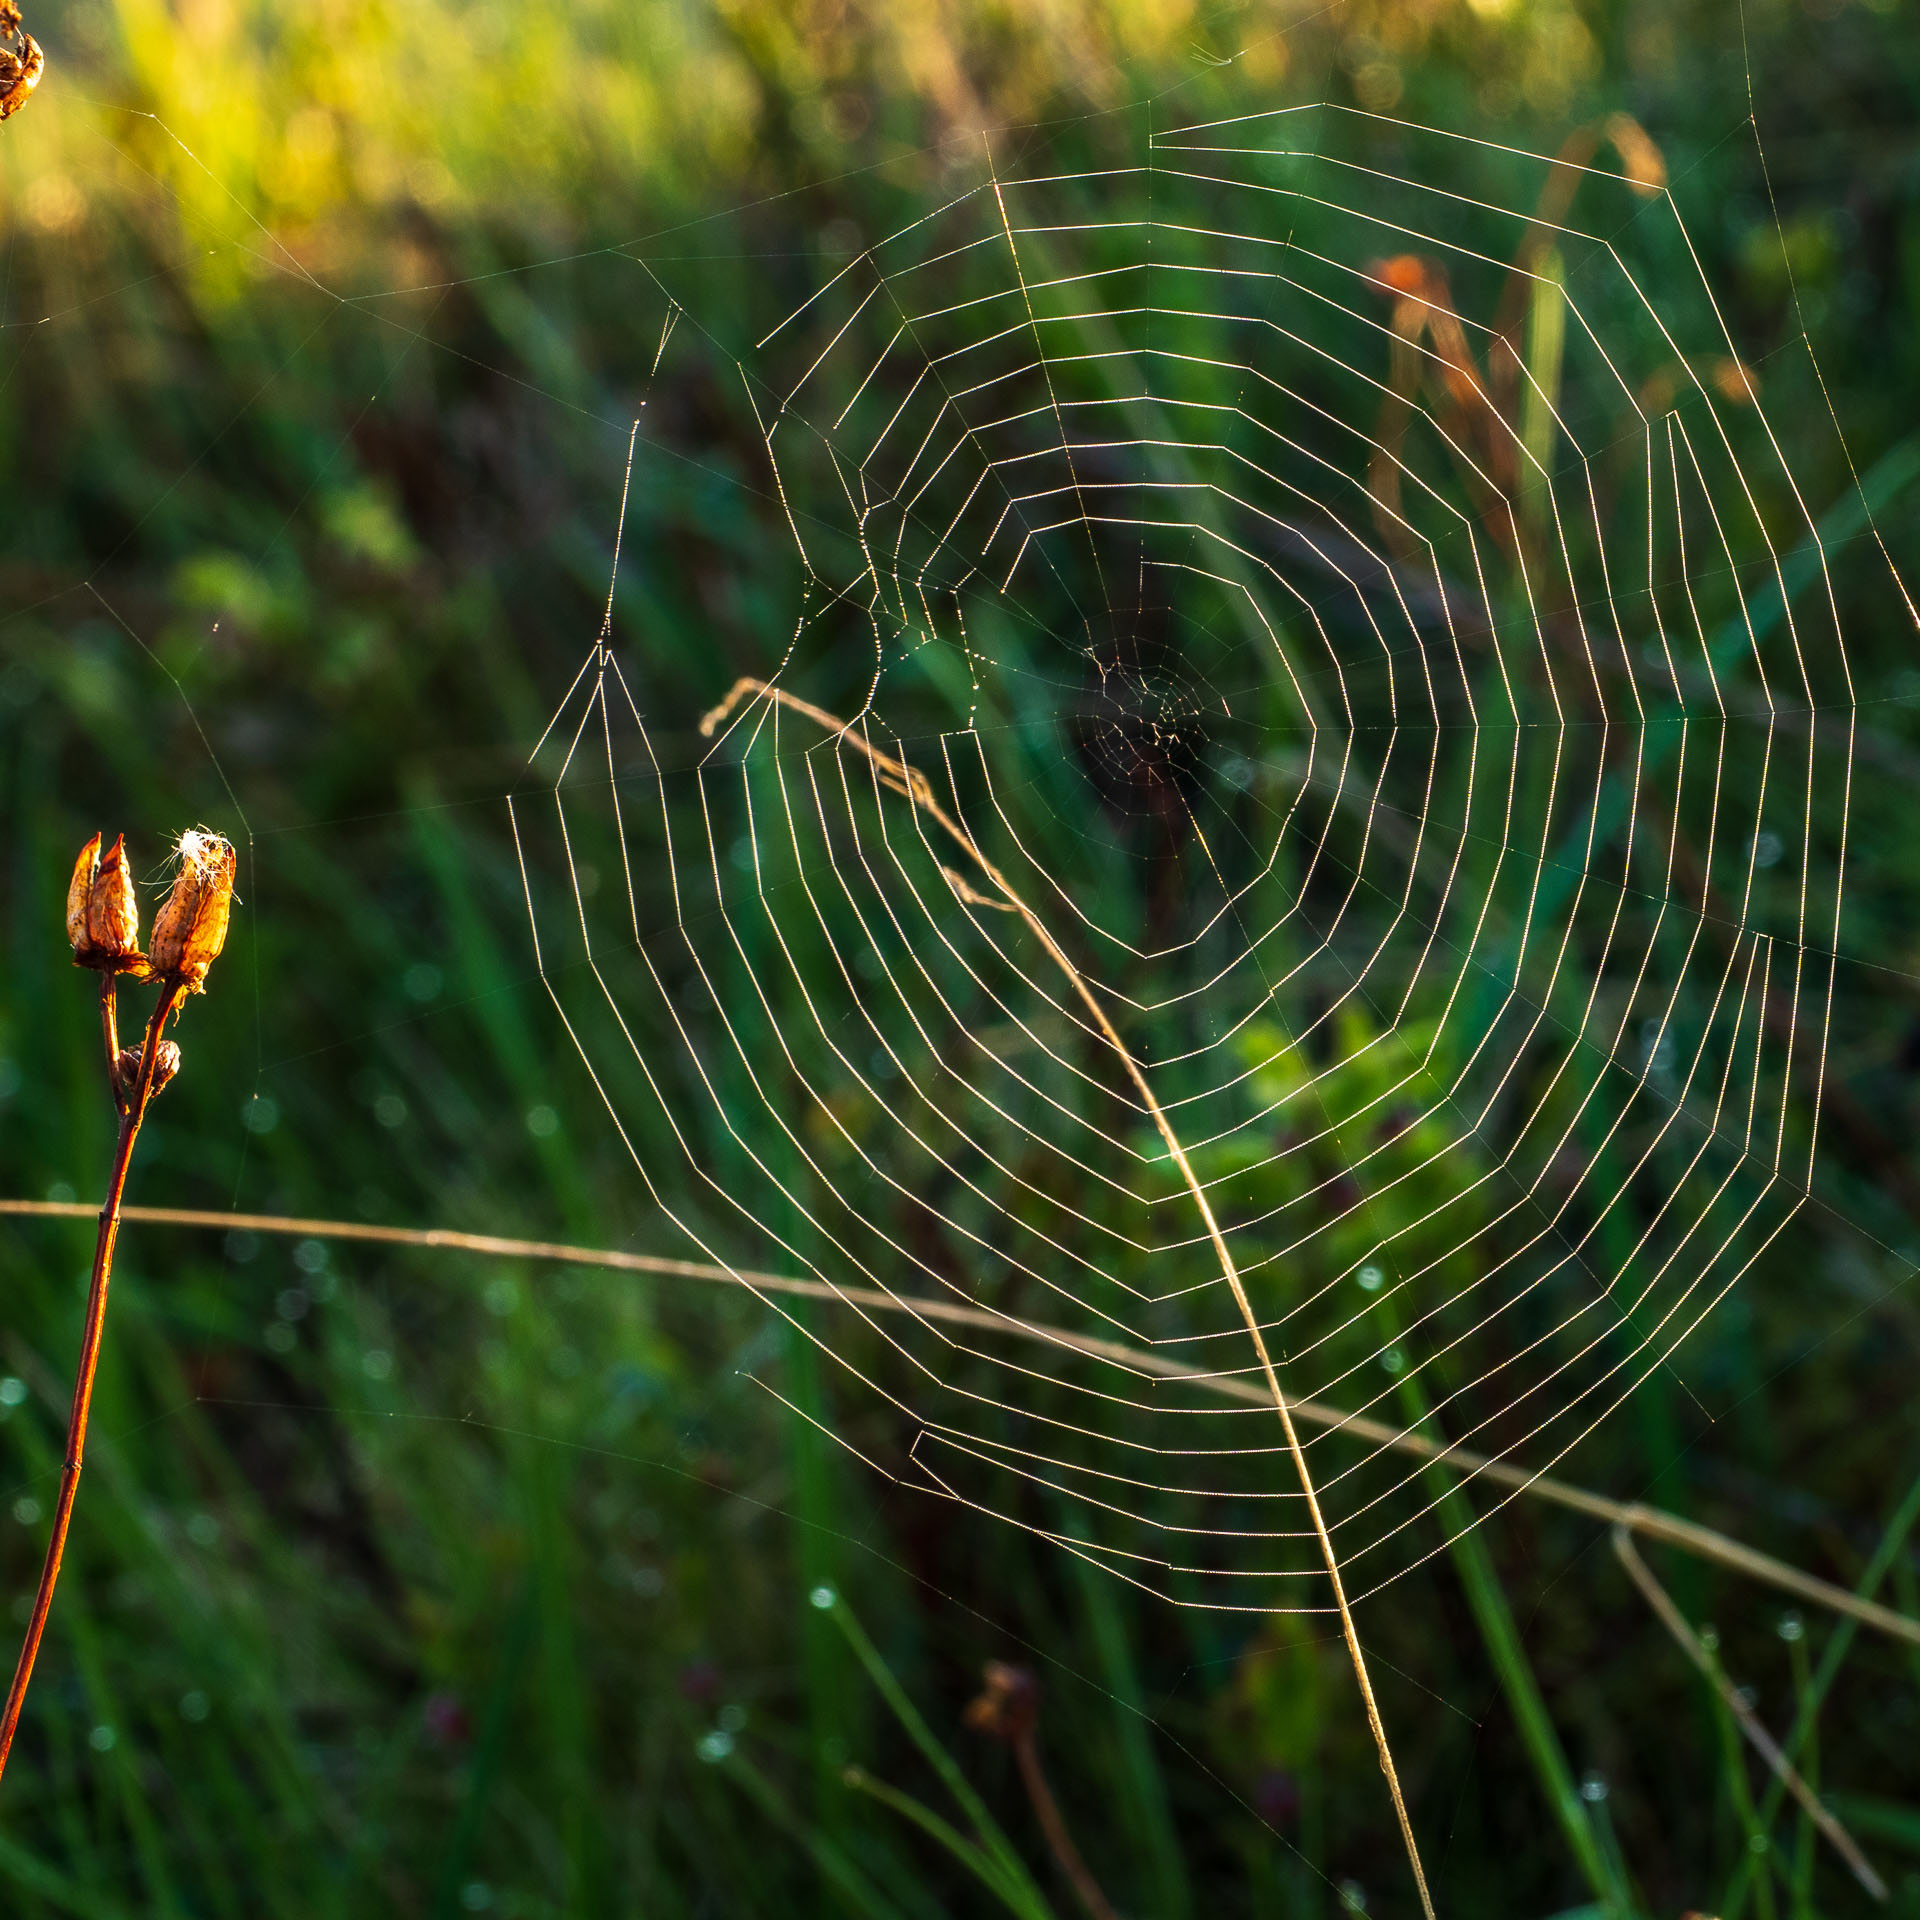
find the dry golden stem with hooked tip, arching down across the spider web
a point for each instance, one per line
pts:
(909, 782)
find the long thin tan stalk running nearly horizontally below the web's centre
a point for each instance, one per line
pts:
(1652, 1524)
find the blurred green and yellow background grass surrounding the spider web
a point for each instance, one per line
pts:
(410, 1585)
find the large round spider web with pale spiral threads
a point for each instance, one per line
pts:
(1301, 827)
